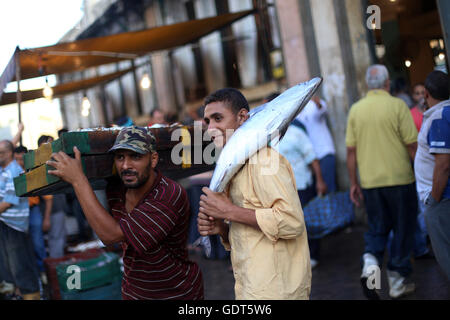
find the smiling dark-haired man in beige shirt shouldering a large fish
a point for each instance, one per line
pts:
(259, 217)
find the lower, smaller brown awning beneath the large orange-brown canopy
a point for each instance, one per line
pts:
(62, 89)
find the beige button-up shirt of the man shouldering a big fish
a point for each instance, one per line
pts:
(273, 263)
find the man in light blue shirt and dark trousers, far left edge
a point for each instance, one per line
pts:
(17, 258)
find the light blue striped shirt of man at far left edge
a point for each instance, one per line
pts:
(17, 215)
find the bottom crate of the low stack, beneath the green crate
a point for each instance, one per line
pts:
(109, 292)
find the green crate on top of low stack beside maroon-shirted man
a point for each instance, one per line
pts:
(94, 273)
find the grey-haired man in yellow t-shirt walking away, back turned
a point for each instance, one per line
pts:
(381, 142)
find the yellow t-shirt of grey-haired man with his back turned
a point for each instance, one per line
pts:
(380, 126)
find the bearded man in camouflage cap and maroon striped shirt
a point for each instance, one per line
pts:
(149, 215)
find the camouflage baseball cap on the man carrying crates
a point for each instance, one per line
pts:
(137, 139)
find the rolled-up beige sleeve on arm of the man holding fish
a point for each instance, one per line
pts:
(281, 216)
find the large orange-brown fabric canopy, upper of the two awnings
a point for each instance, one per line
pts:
(86, 53)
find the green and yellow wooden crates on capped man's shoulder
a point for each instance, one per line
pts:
(98, 164)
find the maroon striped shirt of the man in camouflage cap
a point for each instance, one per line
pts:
(155, 257)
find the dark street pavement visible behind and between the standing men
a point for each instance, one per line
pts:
(337, 275)
